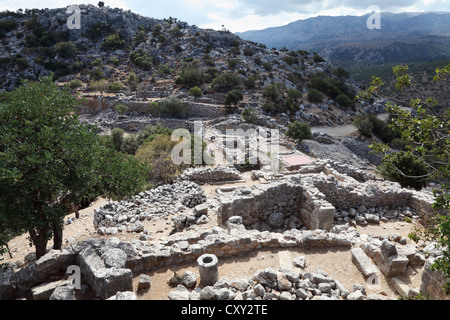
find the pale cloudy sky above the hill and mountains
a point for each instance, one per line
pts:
(243, 15)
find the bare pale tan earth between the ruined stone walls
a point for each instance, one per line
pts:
(335, 262)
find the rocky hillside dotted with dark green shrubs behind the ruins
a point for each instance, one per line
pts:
(137, 58)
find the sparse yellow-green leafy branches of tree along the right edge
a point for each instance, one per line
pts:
(425, 129)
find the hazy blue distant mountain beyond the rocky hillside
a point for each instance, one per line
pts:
(402, 37)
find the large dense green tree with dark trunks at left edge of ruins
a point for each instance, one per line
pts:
(50, 161)
